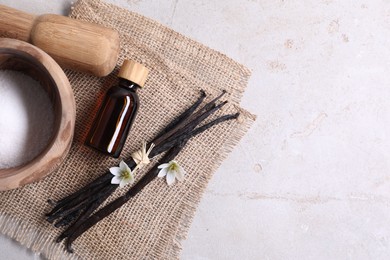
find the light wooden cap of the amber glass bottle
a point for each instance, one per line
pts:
(134, 72)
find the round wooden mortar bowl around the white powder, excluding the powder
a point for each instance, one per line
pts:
(26, 58)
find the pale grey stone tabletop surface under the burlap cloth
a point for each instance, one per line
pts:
(311, 180)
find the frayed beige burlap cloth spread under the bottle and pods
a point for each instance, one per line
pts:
(152, 224)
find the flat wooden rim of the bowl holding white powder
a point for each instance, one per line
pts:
(55, 152)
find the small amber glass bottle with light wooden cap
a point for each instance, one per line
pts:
(118, 110)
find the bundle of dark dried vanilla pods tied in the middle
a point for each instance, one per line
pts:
(77, 213)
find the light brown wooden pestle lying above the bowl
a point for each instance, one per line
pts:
(74, 44)
